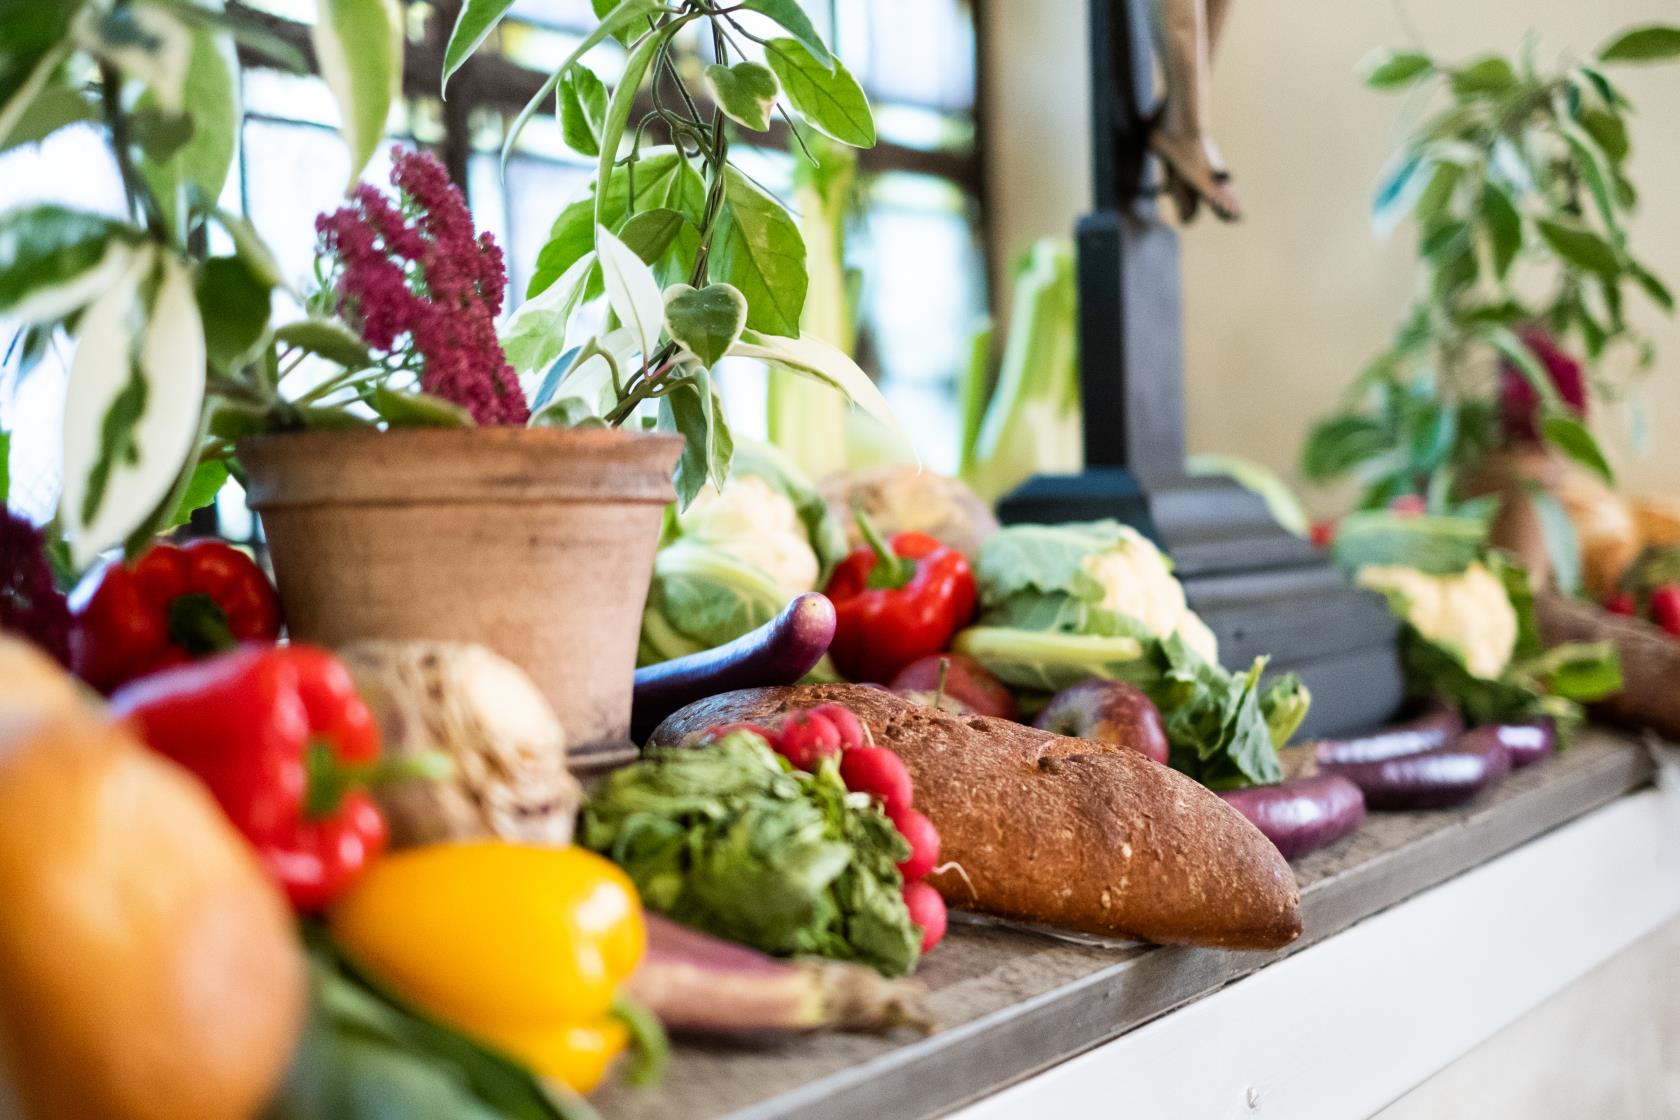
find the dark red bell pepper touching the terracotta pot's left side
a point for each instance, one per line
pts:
(174, 605)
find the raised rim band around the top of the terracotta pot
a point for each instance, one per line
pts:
(448, 466)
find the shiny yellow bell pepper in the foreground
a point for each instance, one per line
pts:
(522, 948)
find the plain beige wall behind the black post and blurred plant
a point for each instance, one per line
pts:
(1288, 305)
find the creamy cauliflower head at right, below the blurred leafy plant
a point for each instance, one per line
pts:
(1469, 614)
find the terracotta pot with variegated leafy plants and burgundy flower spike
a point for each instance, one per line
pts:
(407, 484)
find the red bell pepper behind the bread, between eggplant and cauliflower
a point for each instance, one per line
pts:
(898, 604)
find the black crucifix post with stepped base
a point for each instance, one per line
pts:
(1263, 590)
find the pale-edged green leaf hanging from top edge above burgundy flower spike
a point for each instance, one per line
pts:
(360, 50)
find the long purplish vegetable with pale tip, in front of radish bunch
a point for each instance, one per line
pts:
(700, 985)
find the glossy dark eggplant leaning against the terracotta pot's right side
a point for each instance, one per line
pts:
(777, 654)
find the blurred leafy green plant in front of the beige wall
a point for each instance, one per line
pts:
(1521, 196)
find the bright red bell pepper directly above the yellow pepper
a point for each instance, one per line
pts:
(286, 748)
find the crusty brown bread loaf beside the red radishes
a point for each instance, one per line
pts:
(1074, 834)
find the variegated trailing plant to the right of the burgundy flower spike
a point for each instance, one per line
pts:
(695, 259)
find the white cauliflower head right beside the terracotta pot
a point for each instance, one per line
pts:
(755, 525)
